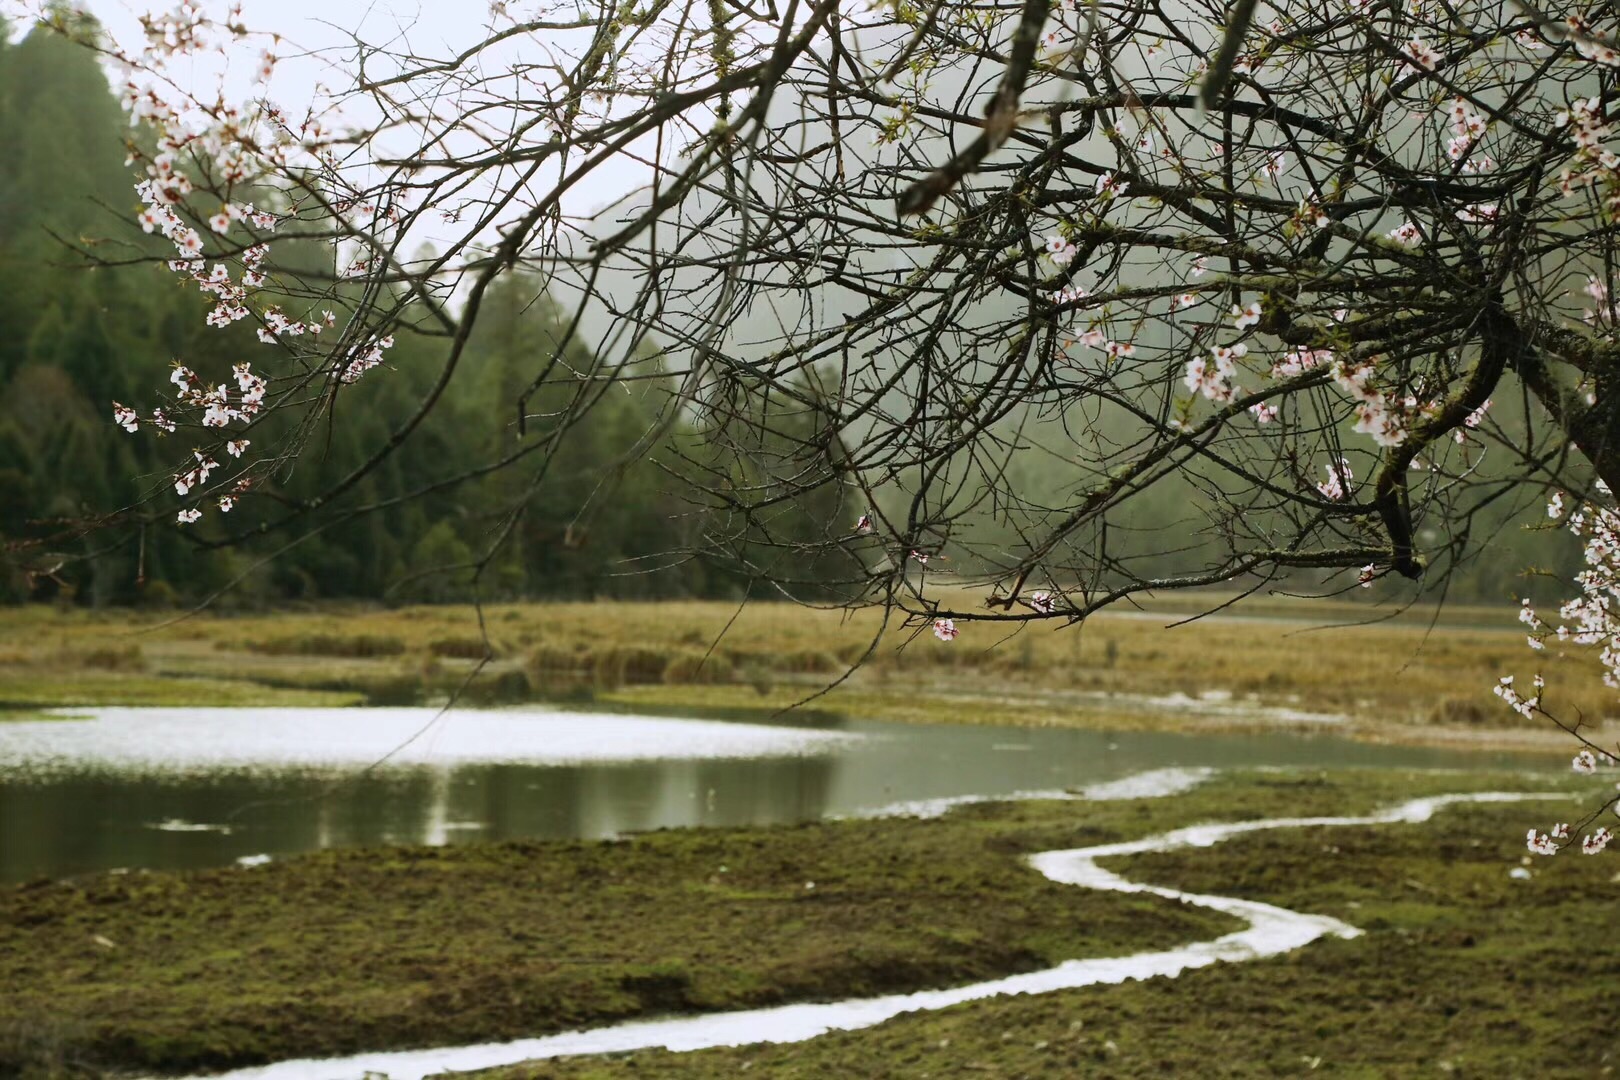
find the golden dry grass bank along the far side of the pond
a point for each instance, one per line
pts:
(1396, 679)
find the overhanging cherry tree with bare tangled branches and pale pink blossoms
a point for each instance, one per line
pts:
(1329, 281)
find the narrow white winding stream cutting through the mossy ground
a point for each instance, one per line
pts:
(1271, 932)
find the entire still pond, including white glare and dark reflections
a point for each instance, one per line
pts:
(202, 788)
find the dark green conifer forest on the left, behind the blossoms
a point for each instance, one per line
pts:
(82, 338)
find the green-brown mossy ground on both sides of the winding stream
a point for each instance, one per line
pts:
(393, 948)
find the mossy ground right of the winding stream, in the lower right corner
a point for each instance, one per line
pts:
(1462, 972)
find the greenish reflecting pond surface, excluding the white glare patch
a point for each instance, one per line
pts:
(92, 822)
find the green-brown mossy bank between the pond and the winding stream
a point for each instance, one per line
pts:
(394, 948)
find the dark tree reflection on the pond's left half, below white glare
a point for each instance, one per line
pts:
(95, 822)
